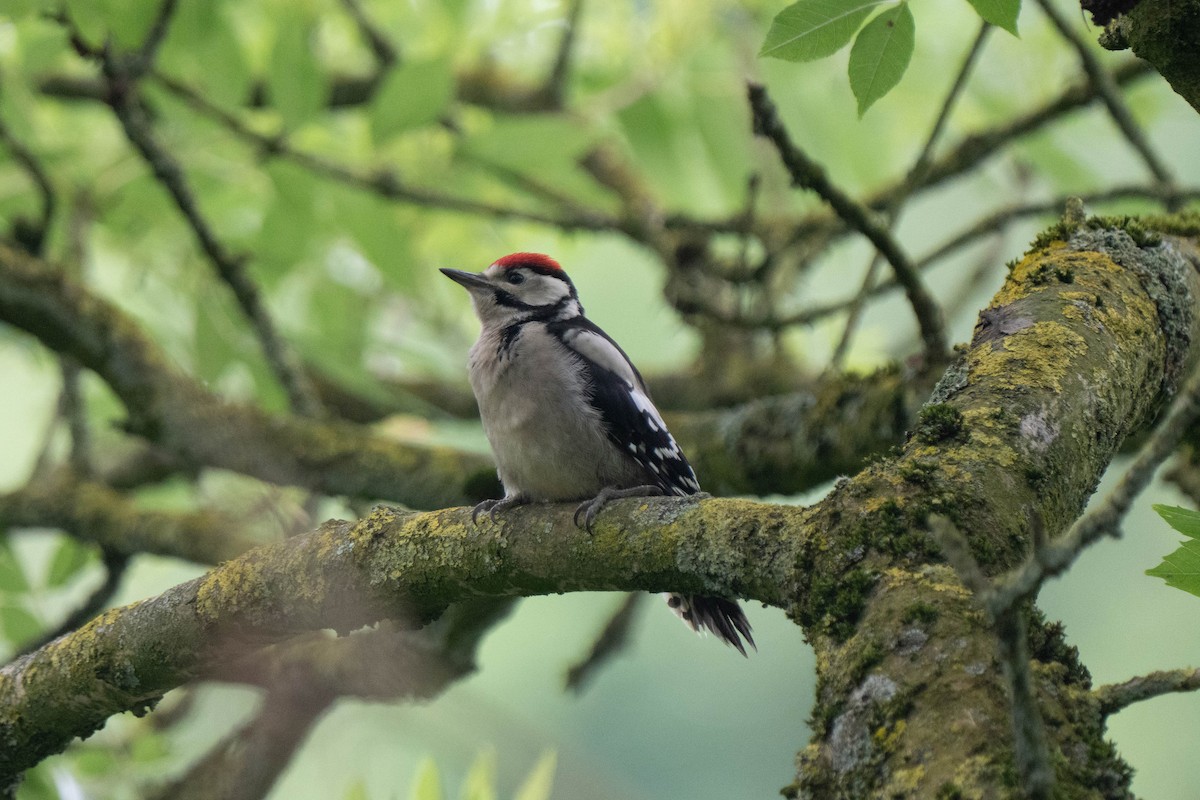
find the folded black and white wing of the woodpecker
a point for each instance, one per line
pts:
(631, 419)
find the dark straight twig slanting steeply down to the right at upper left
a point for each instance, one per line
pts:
(284, 362)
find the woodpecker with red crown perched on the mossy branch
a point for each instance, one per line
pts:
(568, 416)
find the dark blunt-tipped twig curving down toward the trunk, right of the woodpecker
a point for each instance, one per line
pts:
(808, 175)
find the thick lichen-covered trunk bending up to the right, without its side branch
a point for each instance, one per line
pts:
(1073, 354)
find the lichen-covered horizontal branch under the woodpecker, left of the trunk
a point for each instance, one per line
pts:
(406, 567)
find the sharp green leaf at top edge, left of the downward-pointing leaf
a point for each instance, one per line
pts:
(813, 29)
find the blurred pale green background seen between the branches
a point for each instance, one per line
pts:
(352, 280)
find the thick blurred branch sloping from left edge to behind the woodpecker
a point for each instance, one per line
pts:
(176, 413)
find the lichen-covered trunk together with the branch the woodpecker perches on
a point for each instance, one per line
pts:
(1077, 351)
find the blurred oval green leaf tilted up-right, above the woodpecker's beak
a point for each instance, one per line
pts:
(412, 97)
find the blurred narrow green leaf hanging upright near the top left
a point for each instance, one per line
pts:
(295, 79)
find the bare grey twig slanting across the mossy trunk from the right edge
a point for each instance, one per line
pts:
(1106, 520)
